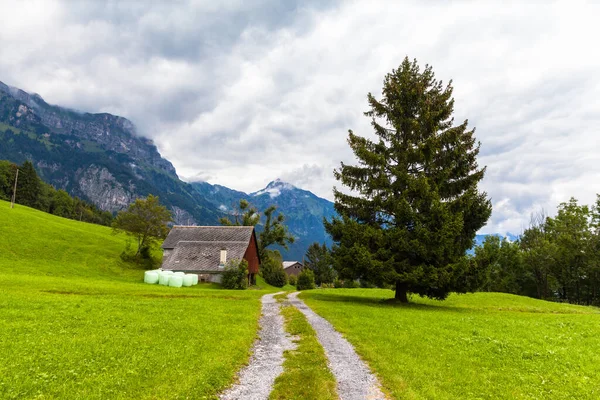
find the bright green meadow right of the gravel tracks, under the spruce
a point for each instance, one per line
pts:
(474, 346)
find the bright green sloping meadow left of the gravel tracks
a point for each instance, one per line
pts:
(77, 322)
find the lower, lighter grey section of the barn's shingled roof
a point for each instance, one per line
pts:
(203, 256)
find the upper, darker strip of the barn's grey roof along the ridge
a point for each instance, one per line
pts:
(207, 234)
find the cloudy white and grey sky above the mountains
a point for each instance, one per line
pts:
(244, 92)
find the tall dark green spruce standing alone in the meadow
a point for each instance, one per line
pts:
(414, 206)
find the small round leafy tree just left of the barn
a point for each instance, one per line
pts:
(146, 220)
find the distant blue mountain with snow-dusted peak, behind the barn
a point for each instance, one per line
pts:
(304, 211)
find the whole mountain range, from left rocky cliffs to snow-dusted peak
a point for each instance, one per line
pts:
(102, 159)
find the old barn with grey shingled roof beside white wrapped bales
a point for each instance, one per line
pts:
(206, 250)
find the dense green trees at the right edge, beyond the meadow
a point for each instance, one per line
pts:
(555, 258)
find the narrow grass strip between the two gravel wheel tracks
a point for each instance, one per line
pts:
(306, 374)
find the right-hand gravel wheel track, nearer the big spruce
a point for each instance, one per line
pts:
(354, 379)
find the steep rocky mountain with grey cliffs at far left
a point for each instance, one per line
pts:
(98, 157)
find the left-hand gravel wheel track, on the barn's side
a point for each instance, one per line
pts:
(255, 381)
